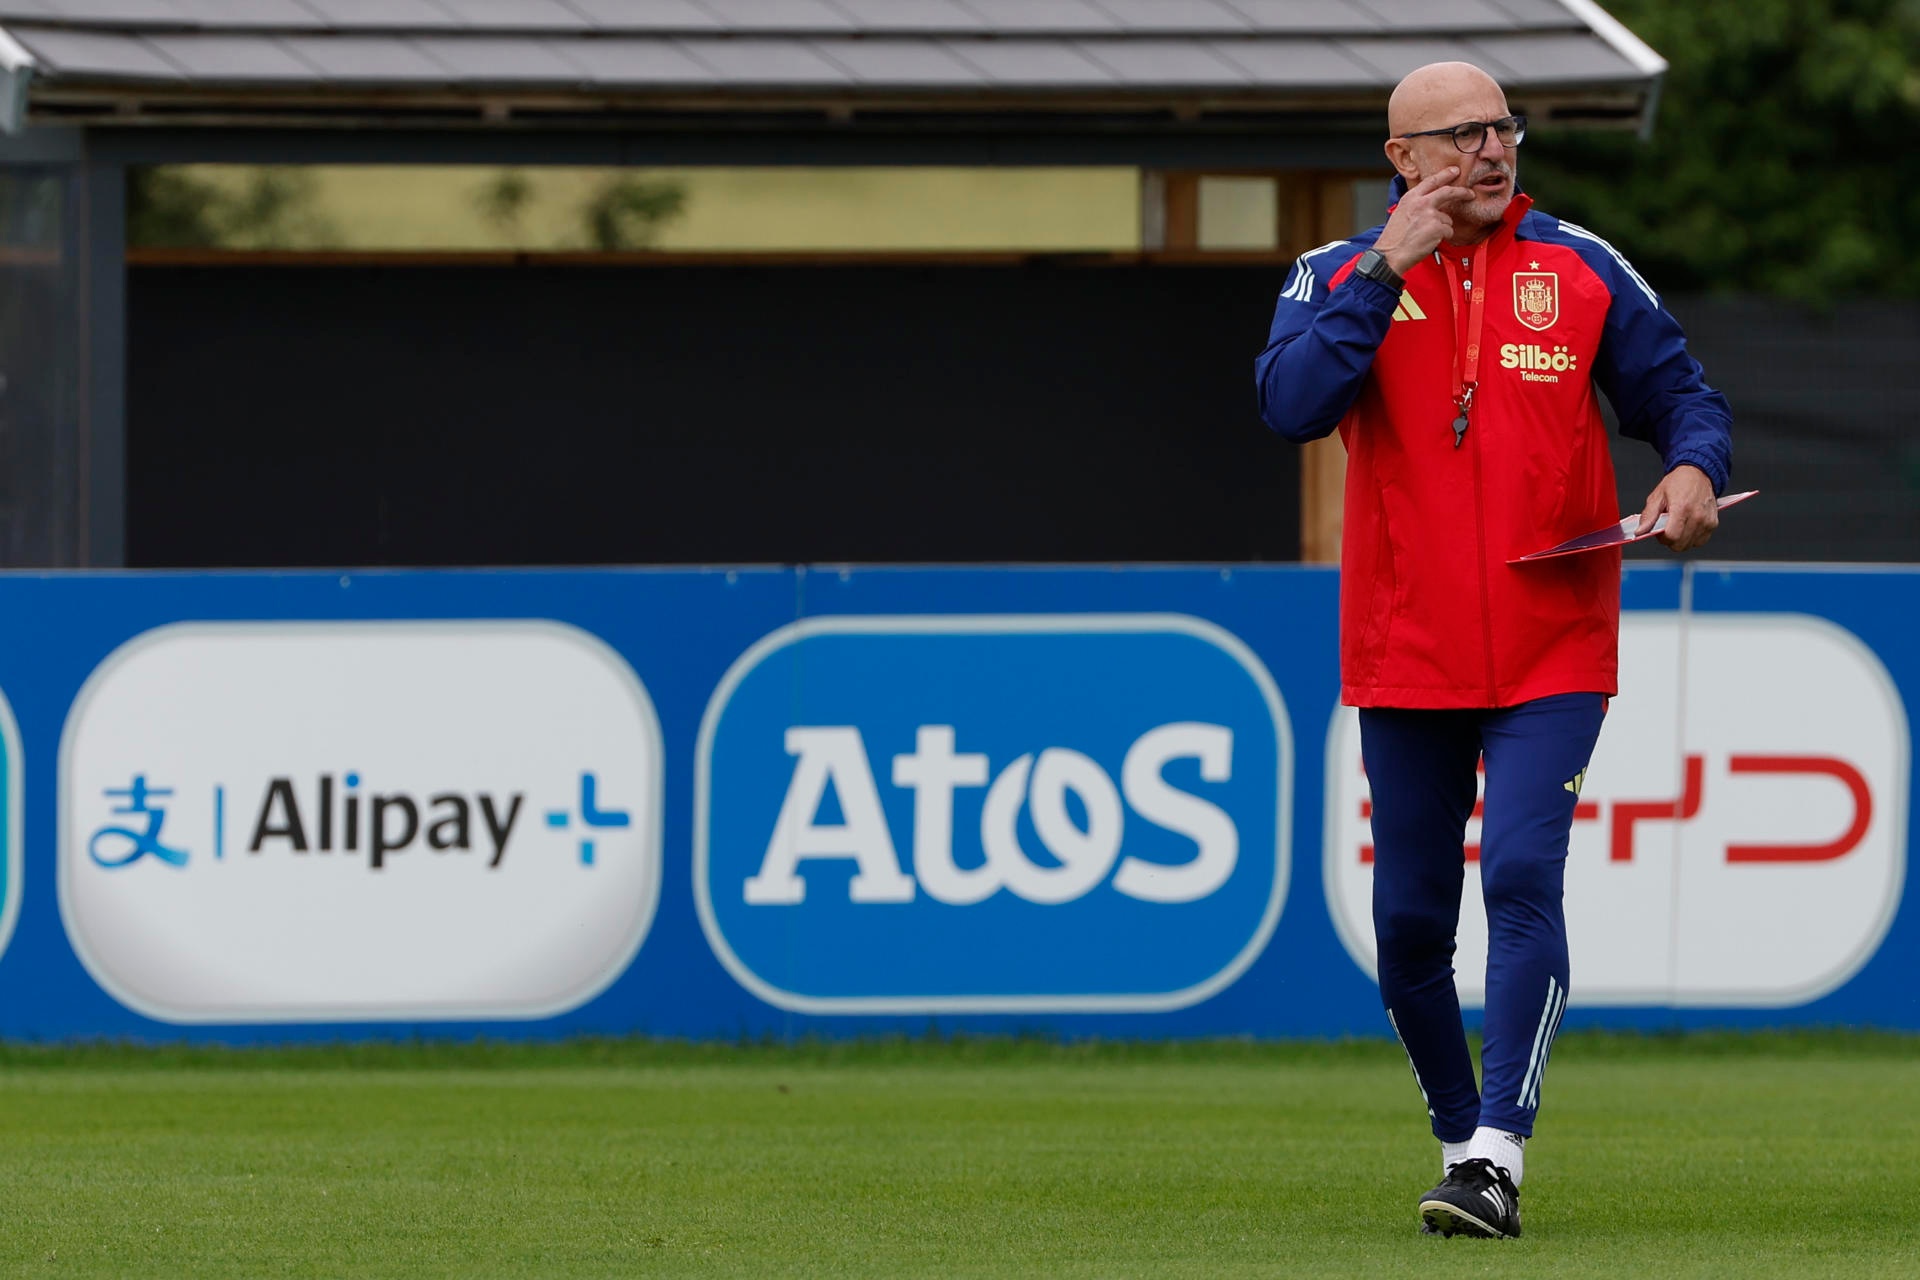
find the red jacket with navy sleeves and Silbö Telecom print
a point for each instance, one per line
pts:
(1431, 611)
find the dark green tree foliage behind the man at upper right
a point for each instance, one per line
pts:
(1781, 156)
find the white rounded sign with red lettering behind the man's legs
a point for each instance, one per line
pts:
(1727, 849)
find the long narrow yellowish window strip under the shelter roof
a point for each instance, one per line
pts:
(452, 208)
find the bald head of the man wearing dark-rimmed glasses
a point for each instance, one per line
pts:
(1441, 97)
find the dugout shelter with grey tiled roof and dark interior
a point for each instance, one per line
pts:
(172, 410)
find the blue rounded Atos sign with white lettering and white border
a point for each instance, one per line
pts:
(992, 815)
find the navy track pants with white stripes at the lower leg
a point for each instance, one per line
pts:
(1424, 774)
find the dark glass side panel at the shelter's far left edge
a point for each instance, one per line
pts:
(39, 373)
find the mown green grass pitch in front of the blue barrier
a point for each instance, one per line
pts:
(1698, 1156)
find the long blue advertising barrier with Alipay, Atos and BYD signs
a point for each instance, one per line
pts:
(736, 803)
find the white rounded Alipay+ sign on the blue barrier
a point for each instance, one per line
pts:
(356, 822)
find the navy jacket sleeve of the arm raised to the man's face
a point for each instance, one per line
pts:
(1322, 344)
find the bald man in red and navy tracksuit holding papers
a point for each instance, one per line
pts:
(1458, 350)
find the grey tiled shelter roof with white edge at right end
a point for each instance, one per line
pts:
(498, 60)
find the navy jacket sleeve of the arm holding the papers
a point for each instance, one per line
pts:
(1656, 387)
